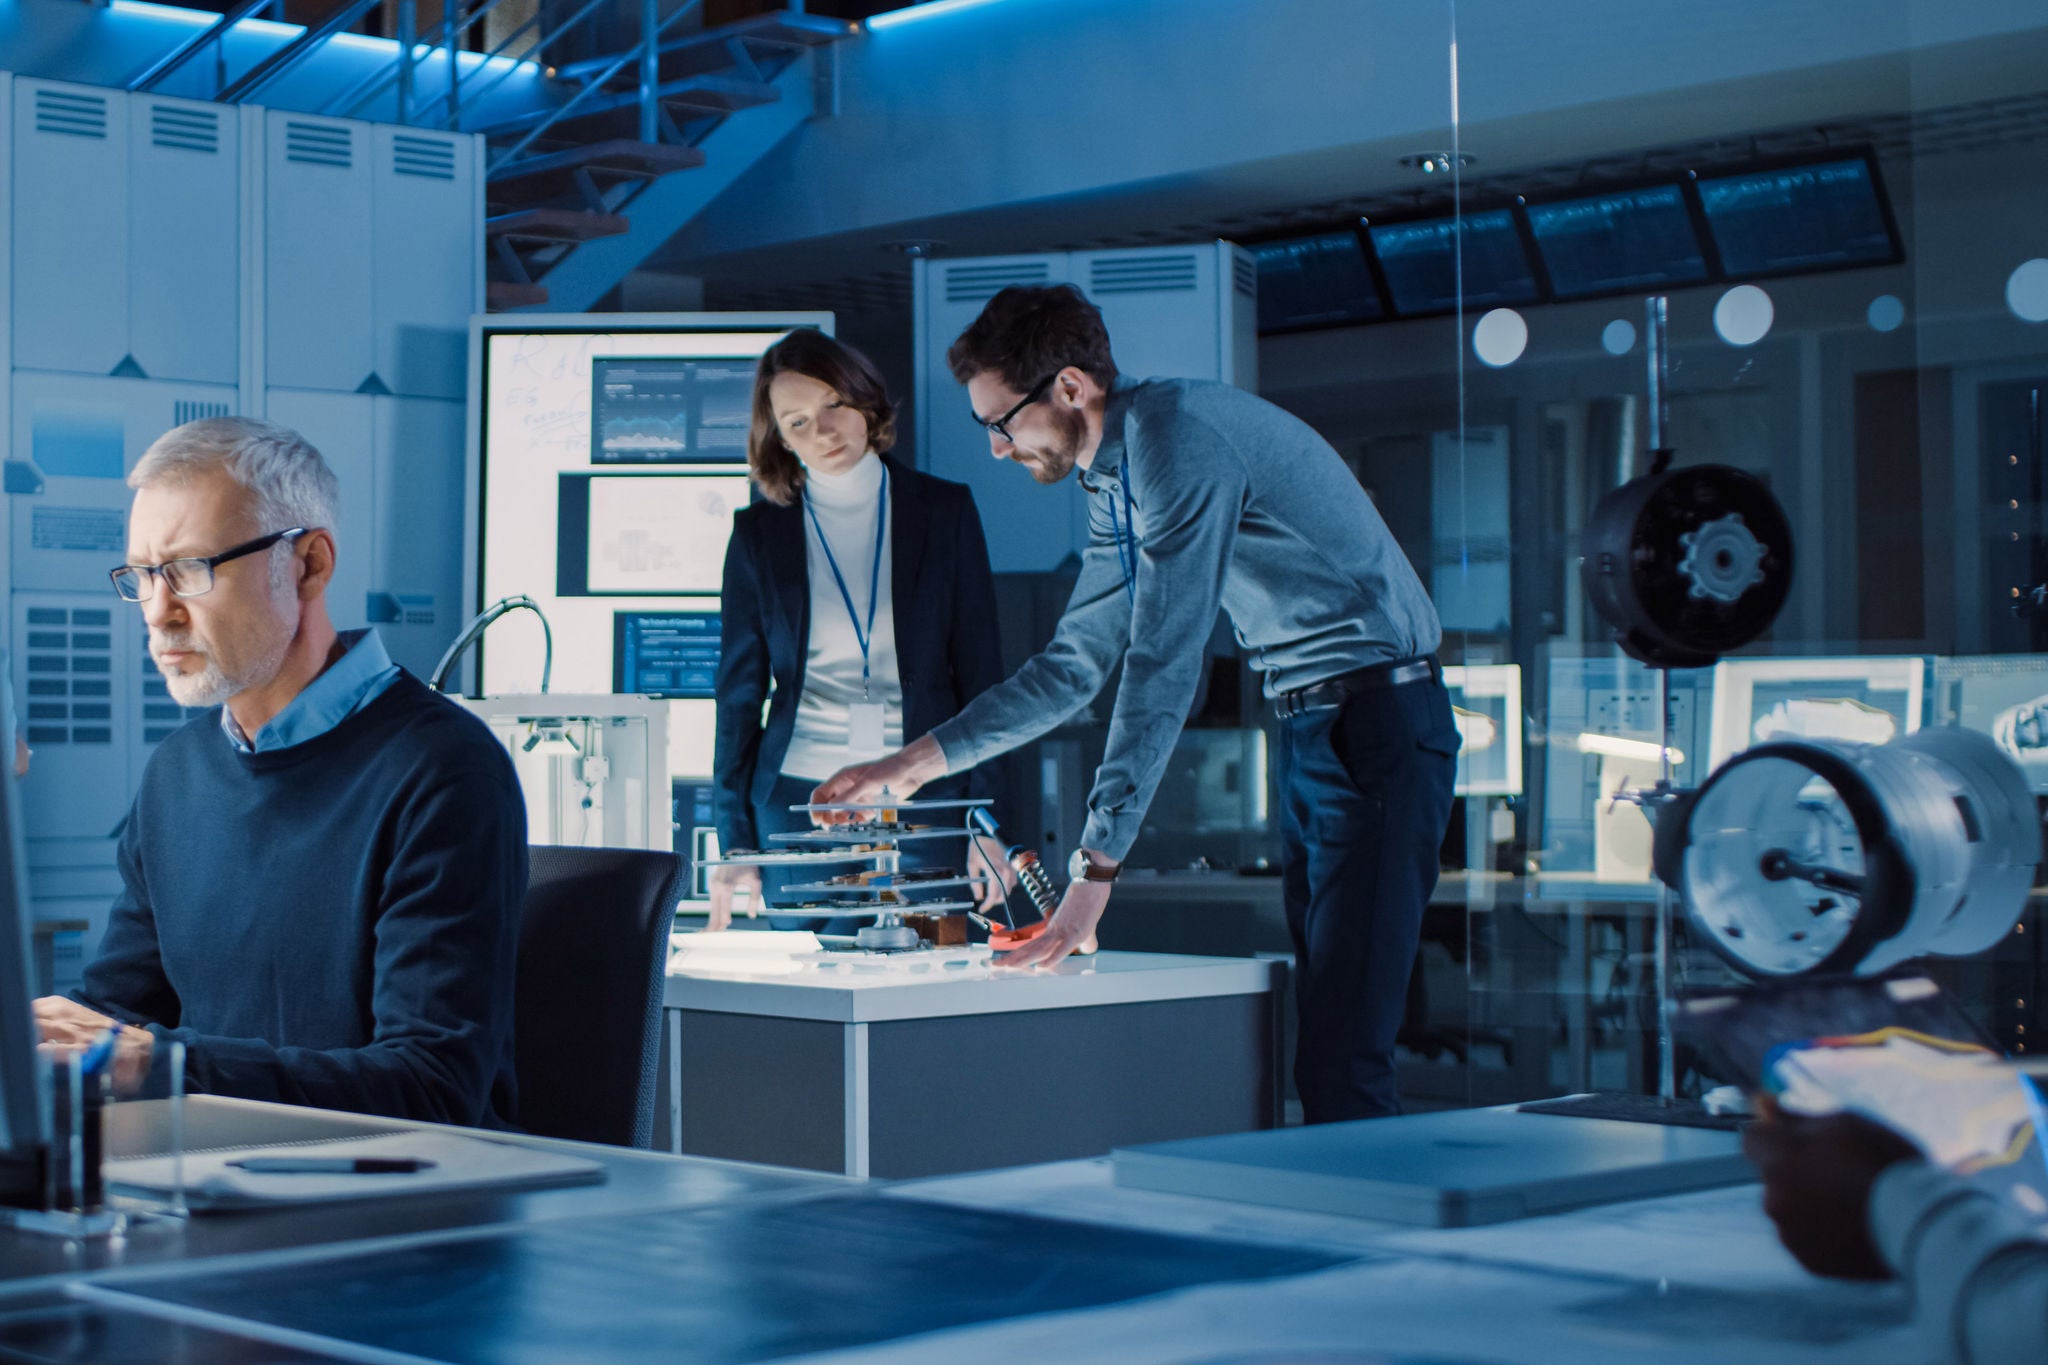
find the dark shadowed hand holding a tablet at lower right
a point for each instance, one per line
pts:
(1818, 1176)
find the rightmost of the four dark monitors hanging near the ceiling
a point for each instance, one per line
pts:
(1799, 218)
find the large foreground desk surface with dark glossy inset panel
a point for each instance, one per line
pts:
(1066, 1268)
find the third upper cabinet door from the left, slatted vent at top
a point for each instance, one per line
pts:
(318, 255)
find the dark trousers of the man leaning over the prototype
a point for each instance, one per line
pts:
(1365, 795)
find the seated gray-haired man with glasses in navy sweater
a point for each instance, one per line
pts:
(323, 879)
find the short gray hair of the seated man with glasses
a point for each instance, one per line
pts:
(288, 476)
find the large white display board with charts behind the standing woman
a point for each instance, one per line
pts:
(607, 468)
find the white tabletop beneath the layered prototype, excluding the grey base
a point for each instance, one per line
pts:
(849, 998)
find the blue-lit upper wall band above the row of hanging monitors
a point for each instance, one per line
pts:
(1181, 109)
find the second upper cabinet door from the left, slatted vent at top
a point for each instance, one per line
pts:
(185, 259)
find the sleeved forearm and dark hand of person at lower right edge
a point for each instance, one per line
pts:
(1859, 1202)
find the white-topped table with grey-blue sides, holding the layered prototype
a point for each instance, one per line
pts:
(898, 1077)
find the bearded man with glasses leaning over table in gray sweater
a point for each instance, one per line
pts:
(1205, 496)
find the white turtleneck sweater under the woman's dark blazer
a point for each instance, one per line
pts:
(847, 507)
